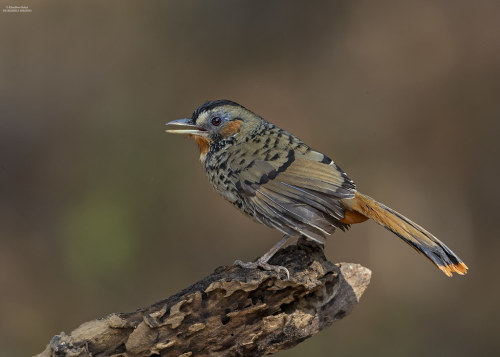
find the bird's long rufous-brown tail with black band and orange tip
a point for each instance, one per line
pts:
(421, 240)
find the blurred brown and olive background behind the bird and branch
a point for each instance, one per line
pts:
(101, 211)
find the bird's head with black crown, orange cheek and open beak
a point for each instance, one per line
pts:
(215, 122)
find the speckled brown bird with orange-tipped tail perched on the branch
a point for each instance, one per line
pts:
(278, 180)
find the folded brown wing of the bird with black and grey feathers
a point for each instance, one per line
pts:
(297, 193)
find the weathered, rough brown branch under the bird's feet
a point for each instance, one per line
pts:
(232, 312)
